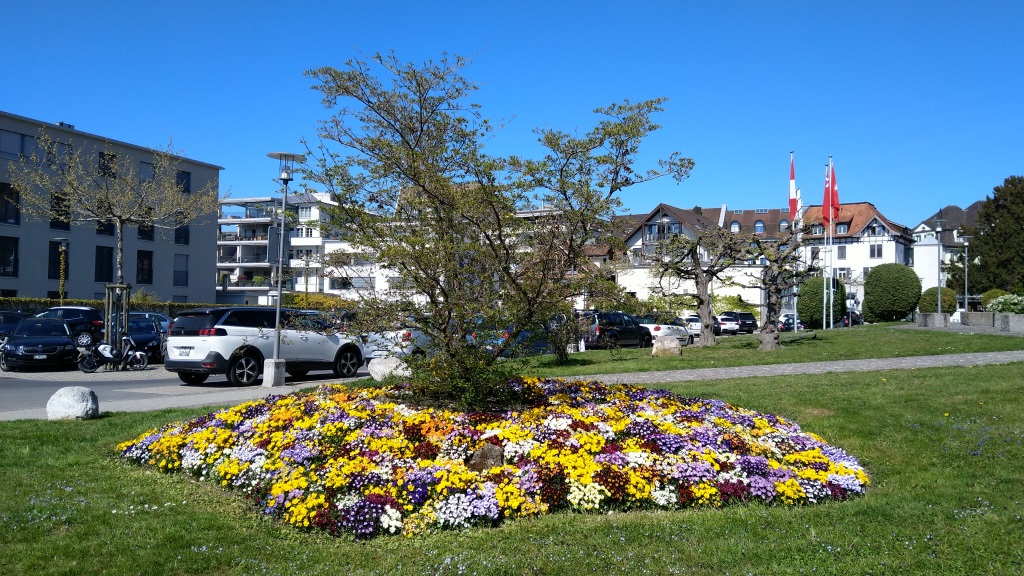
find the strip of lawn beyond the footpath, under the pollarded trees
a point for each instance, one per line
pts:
(850, 344)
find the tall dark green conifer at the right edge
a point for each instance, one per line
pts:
(998, 246)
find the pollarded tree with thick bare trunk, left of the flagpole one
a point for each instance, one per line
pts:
(702, 259)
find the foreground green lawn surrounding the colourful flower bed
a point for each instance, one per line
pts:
(945, 447)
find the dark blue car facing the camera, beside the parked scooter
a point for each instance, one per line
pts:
(38, 342)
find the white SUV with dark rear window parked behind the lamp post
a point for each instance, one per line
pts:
(235, 342)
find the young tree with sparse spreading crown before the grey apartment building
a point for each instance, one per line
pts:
(99, 186)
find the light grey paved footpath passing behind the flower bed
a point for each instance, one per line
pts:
(177, 396)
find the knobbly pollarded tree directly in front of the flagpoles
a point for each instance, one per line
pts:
(784, 270)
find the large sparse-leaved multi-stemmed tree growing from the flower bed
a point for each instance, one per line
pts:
(491, 245)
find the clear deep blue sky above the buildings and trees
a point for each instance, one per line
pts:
(920, 104)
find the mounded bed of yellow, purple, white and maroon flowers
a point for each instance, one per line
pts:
(361, 462)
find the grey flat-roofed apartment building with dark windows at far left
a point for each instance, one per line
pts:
(35, 254)
